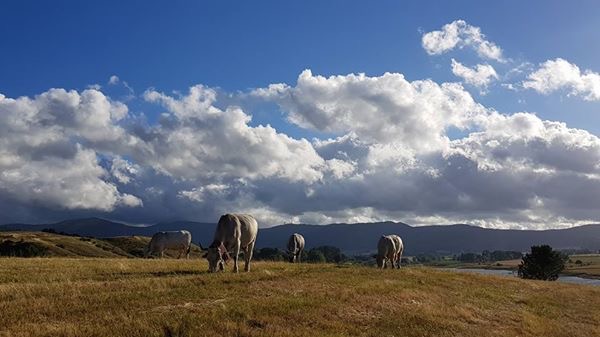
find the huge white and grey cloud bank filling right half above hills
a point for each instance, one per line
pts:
(506, 172)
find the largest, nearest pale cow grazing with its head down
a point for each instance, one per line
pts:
(234, 232)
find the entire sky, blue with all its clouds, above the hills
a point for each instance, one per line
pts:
(425, 112)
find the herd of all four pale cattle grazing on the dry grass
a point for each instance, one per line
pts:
(237, 232)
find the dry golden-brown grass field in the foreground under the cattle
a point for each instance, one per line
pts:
(139, 297)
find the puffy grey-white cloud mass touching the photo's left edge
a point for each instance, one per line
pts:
(44, 157)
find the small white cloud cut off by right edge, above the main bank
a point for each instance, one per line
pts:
(559, 74)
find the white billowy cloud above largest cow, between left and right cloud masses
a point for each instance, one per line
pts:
(199, 141)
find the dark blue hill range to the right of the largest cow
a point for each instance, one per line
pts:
(361, 238)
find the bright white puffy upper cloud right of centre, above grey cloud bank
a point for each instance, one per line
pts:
(382, 109)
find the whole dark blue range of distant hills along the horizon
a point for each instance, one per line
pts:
(354, 238)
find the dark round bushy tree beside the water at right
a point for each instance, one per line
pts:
(543, 263)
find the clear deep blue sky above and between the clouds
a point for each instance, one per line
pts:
(241, 45)
